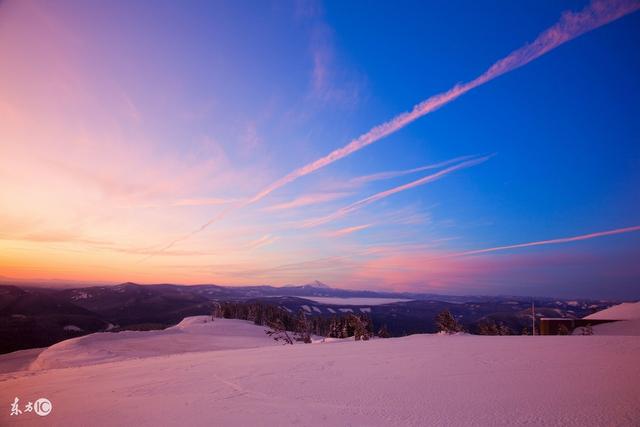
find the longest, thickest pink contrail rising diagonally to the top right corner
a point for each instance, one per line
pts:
(570, 26)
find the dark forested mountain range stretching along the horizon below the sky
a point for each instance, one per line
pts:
(36, 316)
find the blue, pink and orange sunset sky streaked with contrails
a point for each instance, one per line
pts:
(450, 147)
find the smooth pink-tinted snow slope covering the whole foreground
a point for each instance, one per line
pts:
(459, 380)
